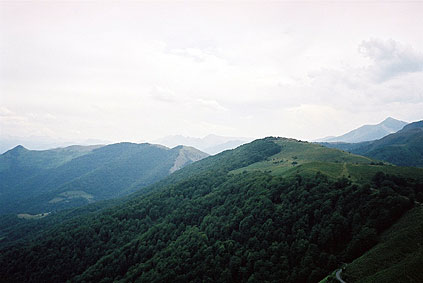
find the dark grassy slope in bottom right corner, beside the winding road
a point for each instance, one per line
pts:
(397, 258)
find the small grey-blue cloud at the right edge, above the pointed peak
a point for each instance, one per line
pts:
(391, 58)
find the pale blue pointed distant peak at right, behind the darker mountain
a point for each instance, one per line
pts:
(368, 132)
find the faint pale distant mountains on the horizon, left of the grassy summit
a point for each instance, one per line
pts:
(211, 144)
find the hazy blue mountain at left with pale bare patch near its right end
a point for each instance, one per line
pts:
(41, 181)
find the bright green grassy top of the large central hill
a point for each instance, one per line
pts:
(308, 158)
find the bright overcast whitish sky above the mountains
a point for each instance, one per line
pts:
(138, 71)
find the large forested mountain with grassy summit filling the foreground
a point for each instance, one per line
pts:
(273, 210)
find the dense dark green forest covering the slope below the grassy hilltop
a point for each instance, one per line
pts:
(244, 227)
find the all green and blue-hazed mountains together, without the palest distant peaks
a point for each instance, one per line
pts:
(272, 210)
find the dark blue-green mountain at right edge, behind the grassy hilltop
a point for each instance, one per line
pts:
(404, 148)
